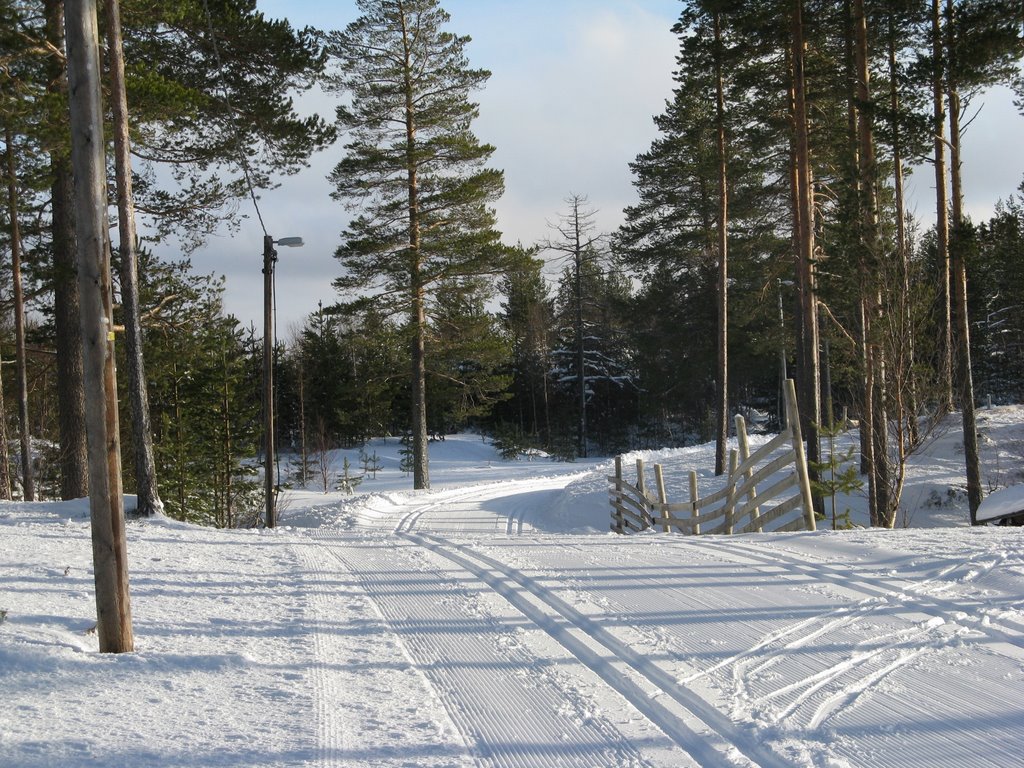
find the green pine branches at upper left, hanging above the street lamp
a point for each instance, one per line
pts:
(210, 88)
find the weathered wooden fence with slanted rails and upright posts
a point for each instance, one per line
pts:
(740, 507)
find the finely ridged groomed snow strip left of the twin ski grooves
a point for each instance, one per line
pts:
(514, 710)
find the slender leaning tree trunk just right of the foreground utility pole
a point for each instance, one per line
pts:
(146, 465)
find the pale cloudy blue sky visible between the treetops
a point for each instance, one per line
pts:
(575, 87)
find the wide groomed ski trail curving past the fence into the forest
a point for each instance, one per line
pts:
(599, 651)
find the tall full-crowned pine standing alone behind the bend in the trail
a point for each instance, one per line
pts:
(415, 172)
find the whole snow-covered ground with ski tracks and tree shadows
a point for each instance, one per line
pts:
(495, 622)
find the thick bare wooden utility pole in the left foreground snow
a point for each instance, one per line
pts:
(106, 500)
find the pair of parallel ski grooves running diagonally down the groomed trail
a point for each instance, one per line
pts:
(700, 728)
